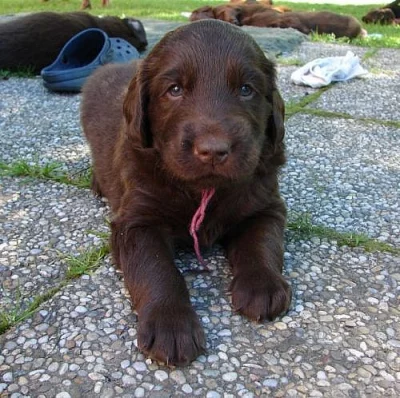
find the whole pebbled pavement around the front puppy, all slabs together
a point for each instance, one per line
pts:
(341, 336)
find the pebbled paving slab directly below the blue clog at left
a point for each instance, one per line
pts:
(40, 131)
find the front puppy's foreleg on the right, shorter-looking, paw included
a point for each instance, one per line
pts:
(255, 253)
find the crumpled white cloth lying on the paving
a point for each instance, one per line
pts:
(323, 71)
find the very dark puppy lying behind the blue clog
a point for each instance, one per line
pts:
(35, 40)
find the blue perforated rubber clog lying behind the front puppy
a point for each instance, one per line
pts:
(82, 55)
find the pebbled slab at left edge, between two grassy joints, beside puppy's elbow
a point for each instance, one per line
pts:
(40, 223)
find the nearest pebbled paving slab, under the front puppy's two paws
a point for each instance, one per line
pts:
(330, 344)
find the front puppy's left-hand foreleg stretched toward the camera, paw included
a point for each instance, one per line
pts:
(169, 329)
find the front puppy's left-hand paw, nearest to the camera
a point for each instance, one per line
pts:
(171, 335)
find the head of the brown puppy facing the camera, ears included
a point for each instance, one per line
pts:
(206, 99)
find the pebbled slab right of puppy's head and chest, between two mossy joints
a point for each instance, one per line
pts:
(345, 173)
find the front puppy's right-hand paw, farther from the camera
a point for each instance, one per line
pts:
(260, 295)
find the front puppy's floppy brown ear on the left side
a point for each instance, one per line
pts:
(135, 113)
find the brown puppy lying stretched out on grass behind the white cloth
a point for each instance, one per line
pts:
(306, 22)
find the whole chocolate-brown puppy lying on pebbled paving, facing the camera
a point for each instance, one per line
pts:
(201, 113)
